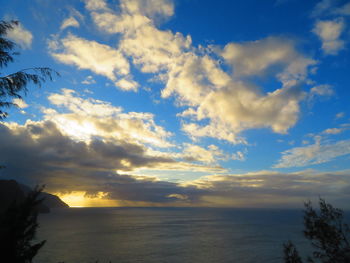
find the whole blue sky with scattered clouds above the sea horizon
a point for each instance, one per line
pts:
(182, 102)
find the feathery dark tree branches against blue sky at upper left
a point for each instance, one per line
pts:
(14, 84)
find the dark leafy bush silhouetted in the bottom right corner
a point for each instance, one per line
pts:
(328, 234)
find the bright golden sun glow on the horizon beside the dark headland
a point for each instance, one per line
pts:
(81, 199)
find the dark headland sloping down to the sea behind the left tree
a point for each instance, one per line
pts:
(11, 190)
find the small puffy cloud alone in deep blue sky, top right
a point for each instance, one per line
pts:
(329, 32)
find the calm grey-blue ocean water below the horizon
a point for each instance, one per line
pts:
(169, 235)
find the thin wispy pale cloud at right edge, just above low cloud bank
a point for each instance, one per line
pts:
(316, 153)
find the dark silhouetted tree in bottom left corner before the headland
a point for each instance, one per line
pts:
(18, 226)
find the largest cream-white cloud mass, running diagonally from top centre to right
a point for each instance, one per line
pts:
(197, 80)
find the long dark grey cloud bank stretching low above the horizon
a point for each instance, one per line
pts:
(38, 153)
